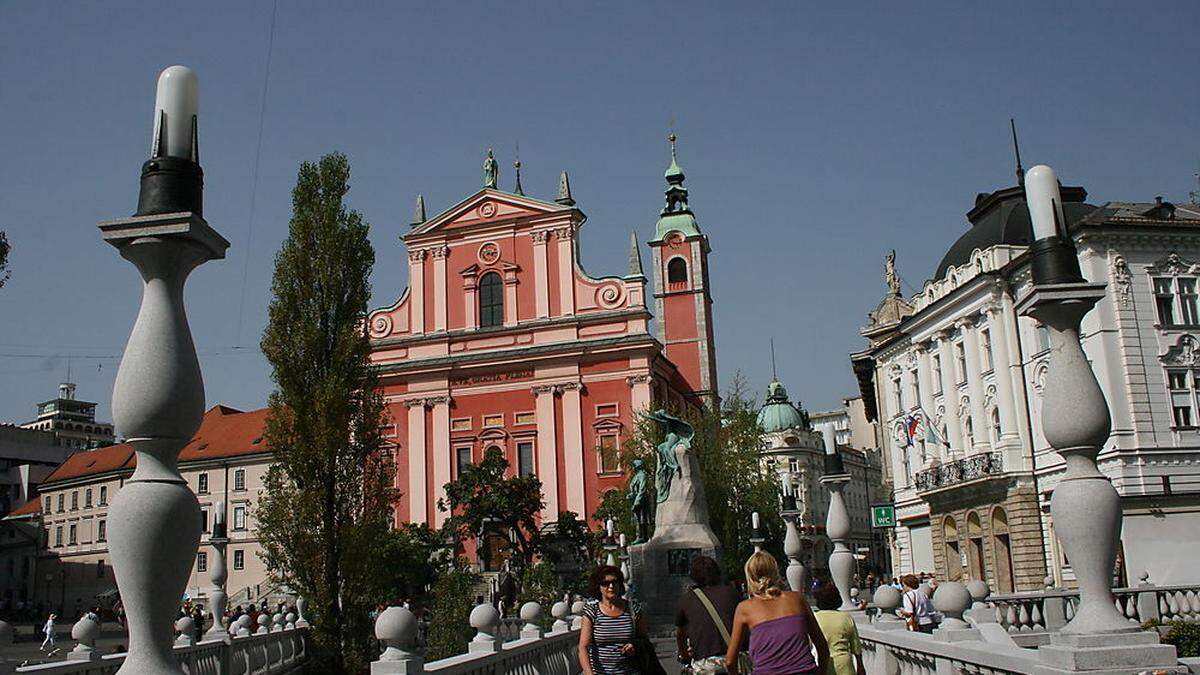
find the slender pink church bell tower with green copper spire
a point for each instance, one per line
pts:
(683, 306)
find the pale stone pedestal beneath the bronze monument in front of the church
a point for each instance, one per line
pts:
(661, 566)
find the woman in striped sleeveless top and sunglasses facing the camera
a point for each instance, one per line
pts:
(611, 624)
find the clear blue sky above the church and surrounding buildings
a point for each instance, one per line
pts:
(815, 139)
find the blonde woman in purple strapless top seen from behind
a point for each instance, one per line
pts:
(781, 624)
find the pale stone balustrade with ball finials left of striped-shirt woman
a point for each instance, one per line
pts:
(533, 652)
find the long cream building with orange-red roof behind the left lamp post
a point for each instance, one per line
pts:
(225, 463)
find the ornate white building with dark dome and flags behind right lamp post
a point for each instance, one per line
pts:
(955, 378)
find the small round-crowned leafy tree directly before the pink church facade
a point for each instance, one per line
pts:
(483, 501)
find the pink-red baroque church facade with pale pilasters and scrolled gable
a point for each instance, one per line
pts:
(502, 341)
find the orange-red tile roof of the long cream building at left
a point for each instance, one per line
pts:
(225, 433)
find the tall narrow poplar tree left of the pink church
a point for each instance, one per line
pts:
(325, 512)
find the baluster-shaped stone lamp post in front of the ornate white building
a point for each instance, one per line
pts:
(1085, 507)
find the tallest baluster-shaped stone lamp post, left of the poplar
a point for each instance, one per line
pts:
(159, 396)
